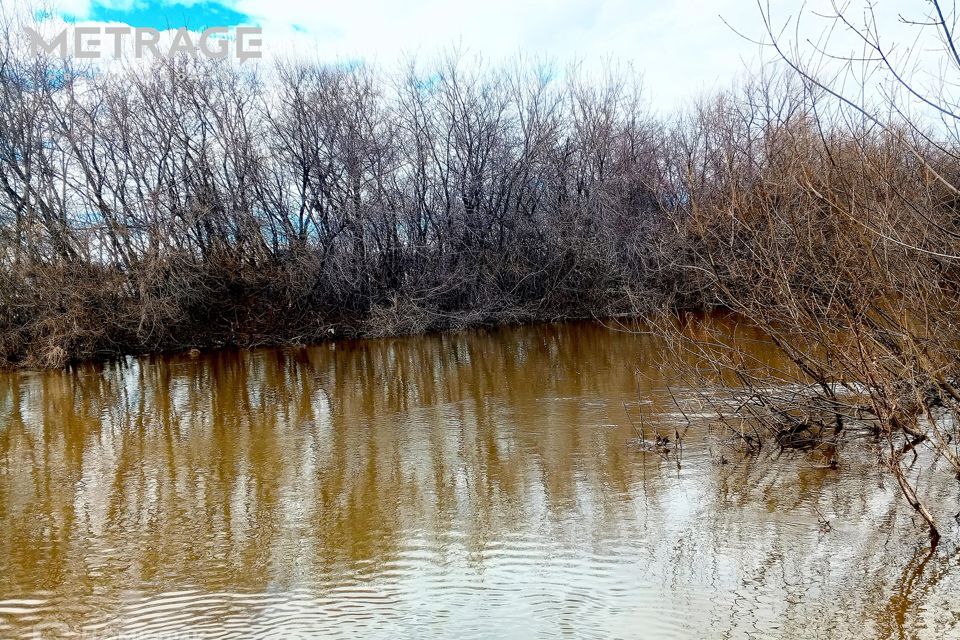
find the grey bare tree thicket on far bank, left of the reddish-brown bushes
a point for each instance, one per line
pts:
(193, 203)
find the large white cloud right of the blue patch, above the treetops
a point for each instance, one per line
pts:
(682, 48)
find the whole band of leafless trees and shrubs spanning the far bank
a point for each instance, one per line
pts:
(191, 203)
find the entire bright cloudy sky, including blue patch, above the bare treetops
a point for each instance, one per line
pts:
(683, 48)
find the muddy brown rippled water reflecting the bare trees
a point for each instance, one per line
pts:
(481, 484)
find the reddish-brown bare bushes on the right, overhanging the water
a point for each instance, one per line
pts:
(843, 247)
